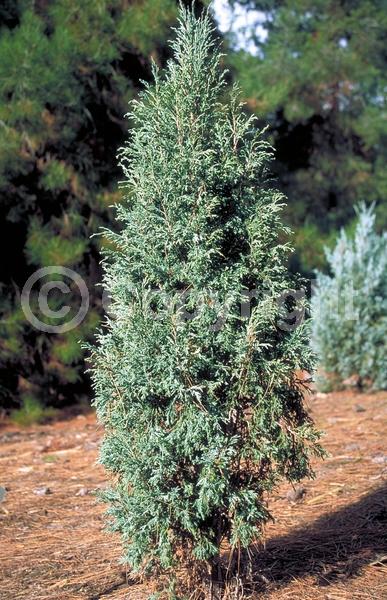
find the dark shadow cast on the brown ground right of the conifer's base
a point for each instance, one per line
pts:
(334, 547)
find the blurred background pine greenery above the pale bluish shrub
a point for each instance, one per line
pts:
(318, 77)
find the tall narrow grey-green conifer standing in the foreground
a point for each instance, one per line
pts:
(201, 403)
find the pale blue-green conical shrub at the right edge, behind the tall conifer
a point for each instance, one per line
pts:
(350, 306)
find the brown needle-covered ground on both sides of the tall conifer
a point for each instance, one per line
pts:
(330, 544)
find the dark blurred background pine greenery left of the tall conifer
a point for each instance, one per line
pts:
(68, 69)
